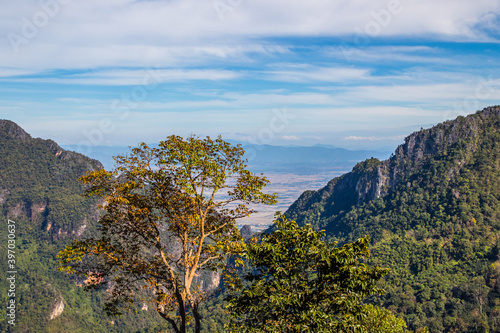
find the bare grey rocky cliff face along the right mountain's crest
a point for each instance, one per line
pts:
(372, 179)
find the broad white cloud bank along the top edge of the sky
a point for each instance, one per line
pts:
(126, 33)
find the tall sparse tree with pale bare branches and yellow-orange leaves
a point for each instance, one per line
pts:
(169, 215)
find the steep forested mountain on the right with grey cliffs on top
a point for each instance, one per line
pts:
(433, 213)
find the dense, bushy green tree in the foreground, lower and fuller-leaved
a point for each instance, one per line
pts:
(300, 283)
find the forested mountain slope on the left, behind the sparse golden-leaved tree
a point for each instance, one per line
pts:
(40, 192)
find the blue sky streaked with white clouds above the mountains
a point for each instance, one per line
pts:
(355, 74)
